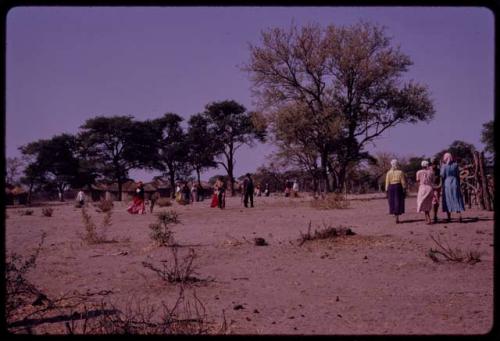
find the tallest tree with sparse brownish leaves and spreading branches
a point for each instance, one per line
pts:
(346, 80)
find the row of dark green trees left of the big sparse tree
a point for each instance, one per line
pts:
(108, 148)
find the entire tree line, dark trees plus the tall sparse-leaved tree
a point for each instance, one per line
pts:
(323, 95)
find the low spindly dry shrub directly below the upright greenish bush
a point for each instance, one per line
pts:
(176, 271)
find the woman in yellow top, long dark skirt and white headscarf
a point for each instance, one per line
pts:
(395, 185)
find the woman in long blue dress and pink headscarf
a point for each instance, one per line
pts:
(452, 196)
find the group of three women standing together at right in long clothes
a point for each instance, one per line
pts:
(437, 181)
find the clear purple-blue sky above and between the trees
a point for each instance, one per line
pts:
(65, 65)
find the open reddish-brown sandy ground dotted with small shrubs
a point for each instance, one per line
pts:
(379, 281)
